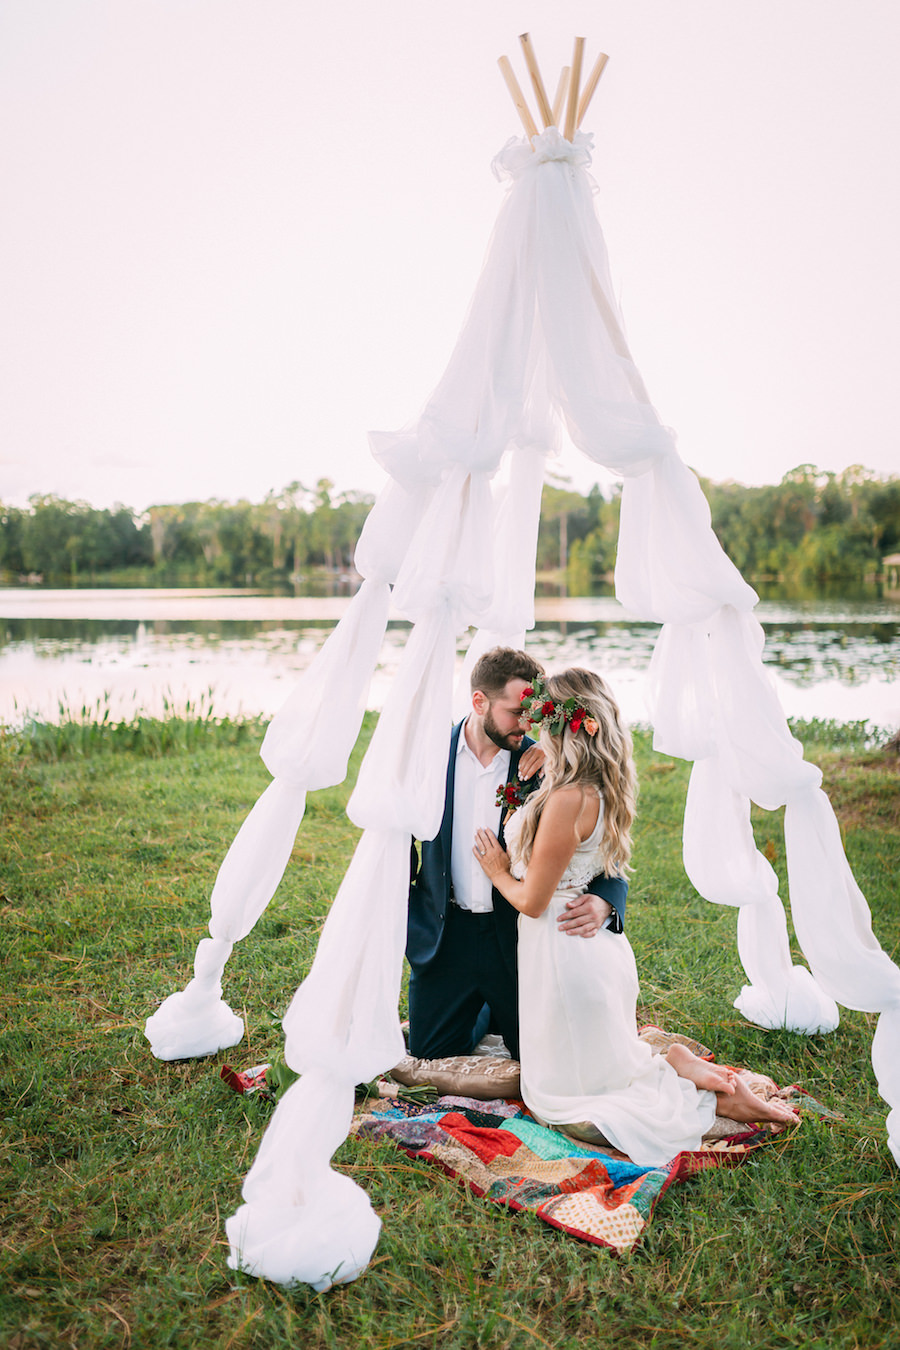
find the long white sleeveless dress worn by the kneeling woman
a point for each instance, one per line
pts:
(581, 1055)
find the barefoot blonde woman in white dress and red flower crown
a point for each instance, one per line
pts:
(582, 1060)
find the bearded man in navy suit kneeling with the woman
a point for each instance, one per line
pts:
(462, 934)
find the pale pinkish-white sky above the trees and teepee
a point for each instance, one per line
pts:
(240, 234)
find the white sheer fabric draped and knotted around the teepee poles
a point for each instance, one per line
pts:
(454, 535)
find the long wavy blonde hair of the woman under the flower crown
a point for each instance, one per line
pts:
(604, 761)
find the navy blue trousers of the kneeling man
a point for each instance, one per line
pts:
(447, 998)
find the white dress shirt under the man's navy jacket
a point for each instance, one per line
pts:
(474, 808)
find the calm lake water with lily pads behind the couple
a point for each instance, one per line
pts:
(142, 650)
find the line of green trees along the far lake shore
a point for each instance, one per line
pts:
(813, 529)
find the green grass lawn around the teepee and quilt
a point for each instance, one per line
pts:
(119, 1170)
